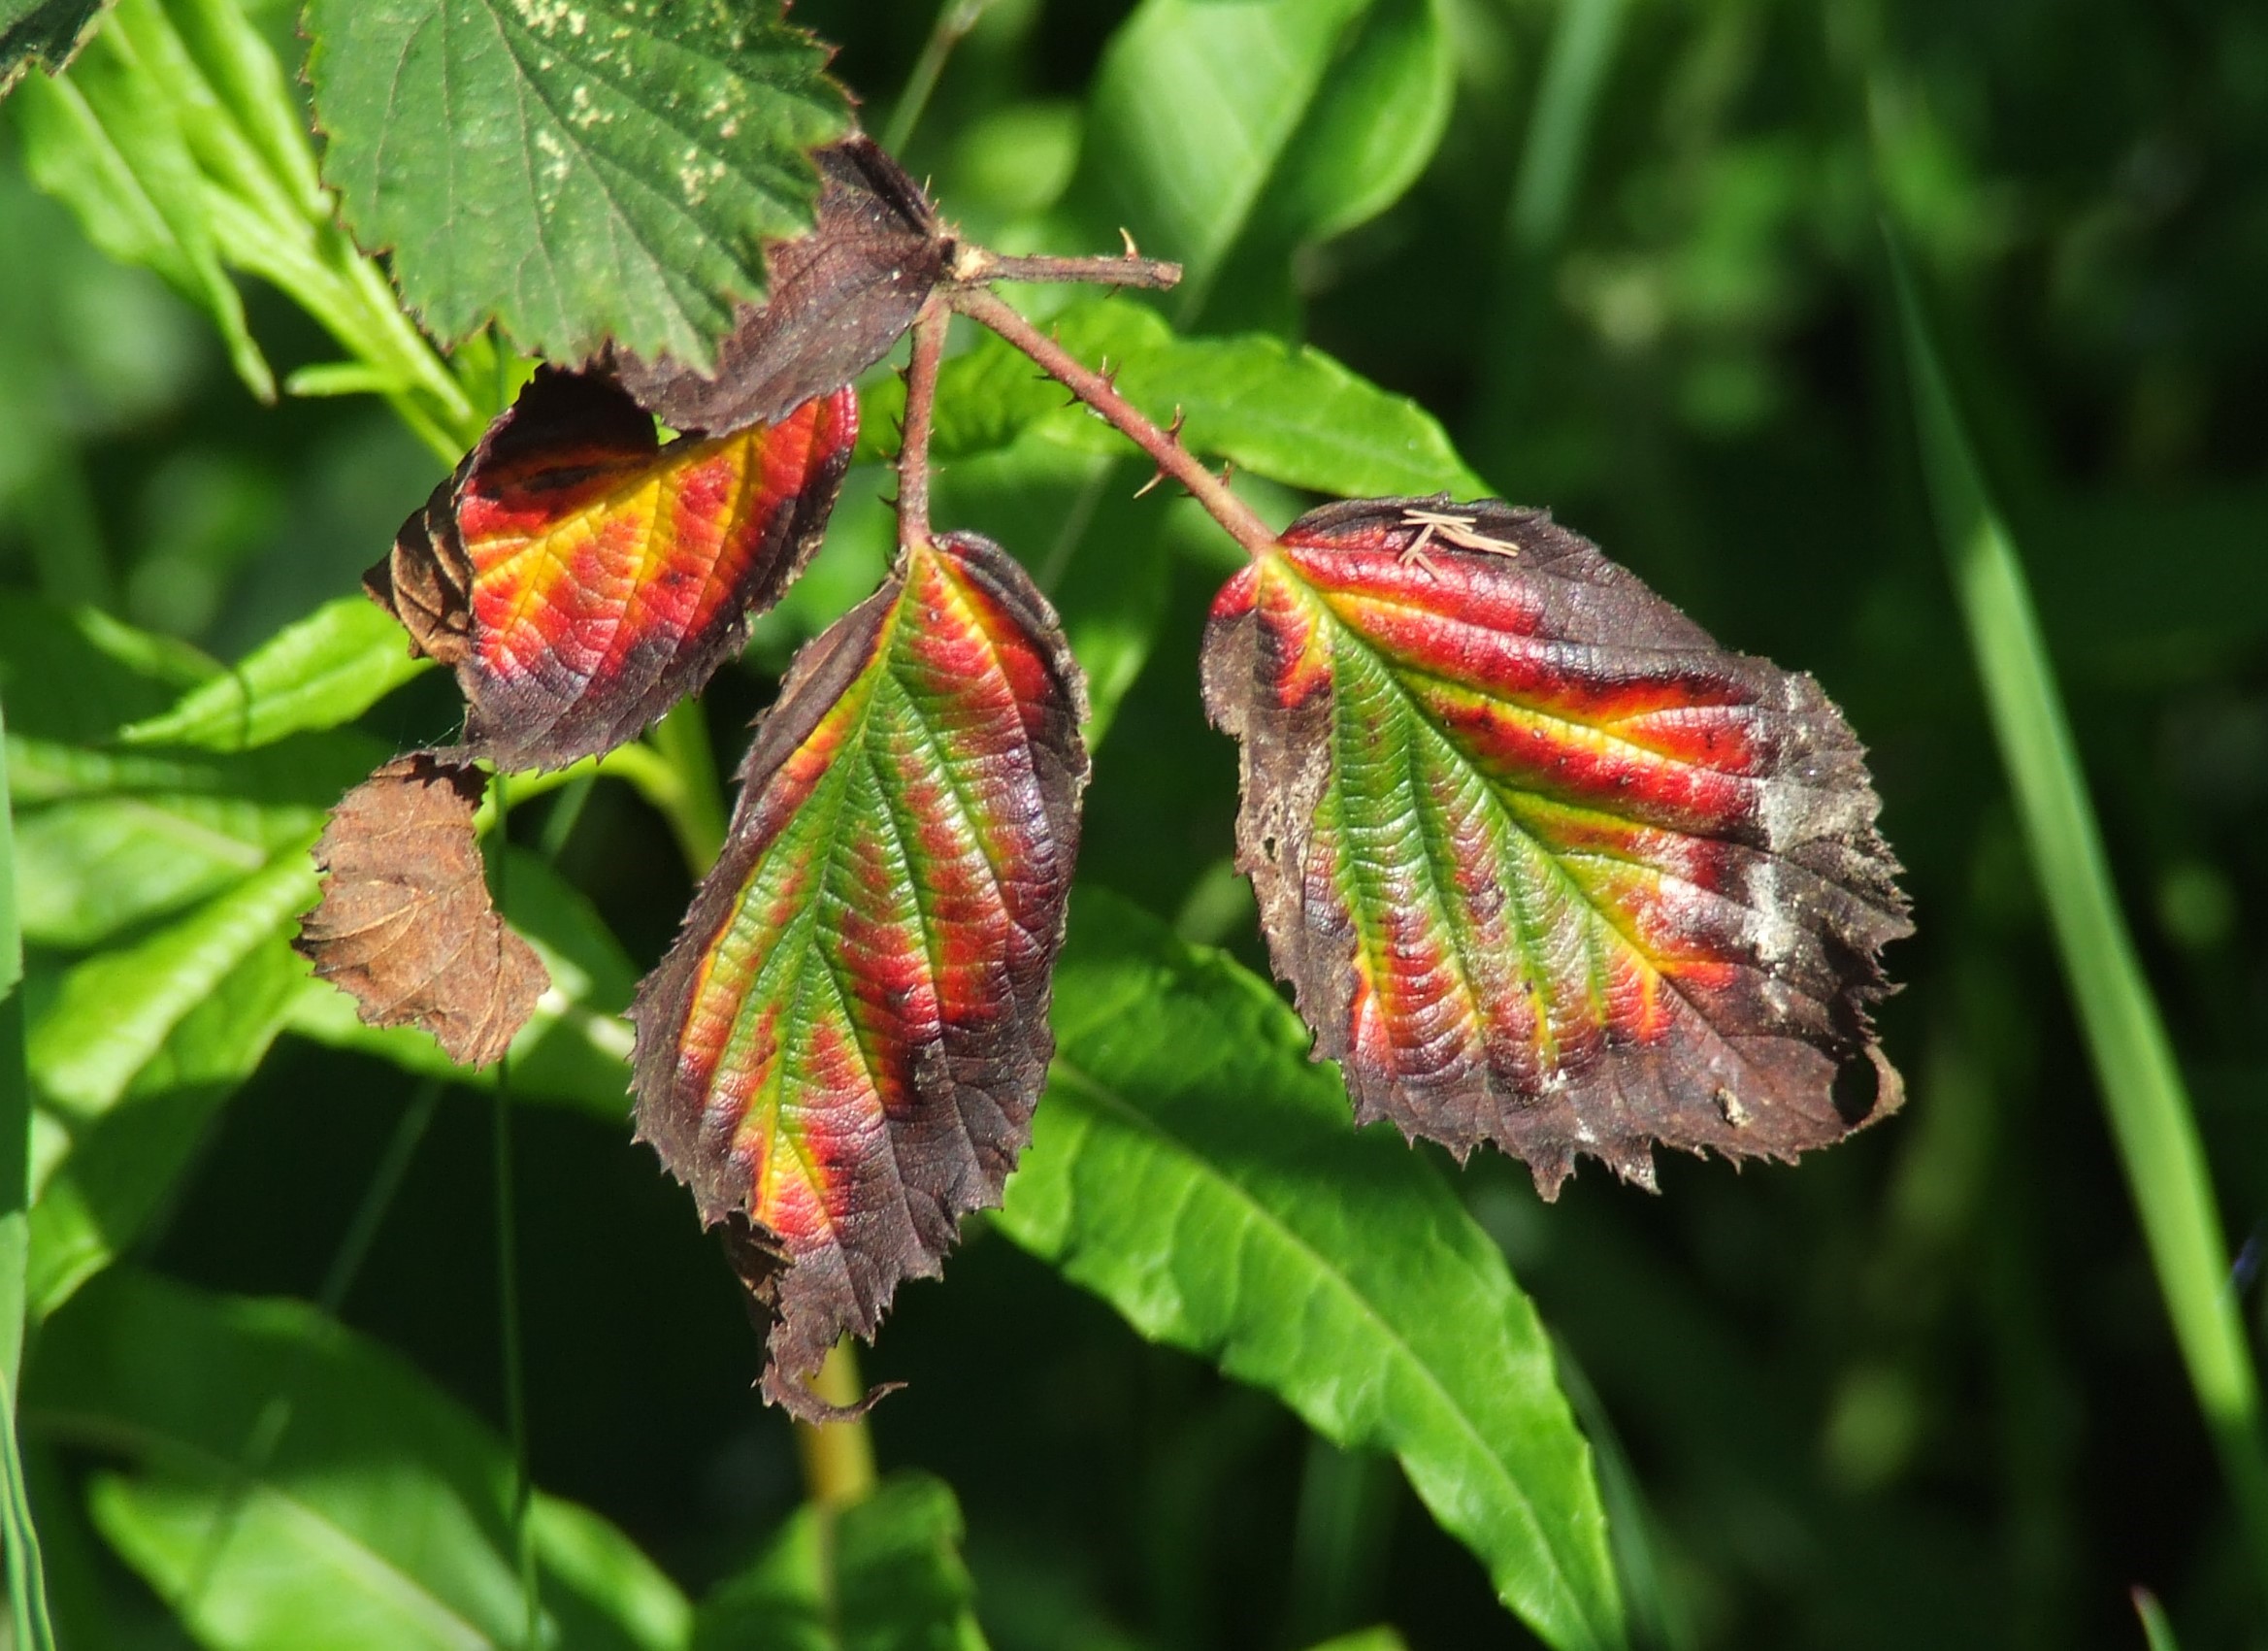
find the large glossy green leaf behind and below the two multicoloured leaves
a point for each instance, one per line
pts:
(1199, 1174)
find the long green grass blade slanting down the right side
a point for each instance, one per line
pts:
(2126, 1035)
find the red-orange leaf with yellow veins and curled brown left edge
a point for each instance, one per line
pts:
(582, 579)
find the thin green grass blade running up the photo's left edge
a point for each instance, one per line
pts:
(26, 1582)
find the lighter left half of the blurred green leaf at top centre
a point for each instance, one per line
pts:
(1192, 115)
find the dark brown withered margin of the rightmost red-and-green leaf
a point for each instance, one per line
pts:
(1754, 1081)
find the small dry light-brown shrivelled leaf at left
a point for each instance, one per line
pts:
(407, 924)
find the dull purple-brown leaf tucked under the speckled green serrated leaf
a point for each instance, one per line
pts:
(840, 298)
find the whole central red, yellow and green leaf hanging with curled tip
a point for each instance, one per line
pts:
(843, 1053)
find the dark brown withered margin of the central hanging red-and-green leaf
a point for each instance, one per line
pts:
(960, 1067)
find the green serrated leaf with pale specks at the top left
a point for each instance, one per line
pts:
(573, 169)
